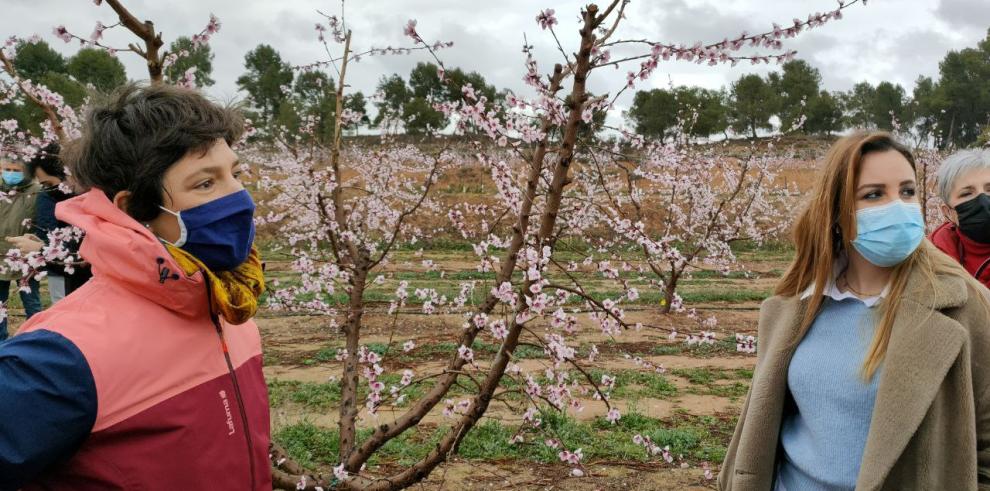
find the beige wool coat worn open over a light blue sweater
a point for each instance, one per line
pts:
(930, 428)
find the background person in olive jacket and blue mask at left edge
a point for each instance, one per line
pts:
(17, 206)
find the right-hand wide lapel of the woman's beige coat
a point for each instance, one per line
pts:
(923, 345)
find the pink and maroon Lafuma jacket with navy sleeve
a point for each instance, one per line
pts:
(145, 388)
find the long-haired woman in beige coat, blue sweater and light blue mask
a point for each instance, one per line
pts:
(871, 370)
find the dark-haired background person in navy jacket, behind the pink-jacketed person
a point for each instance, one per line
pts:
(50, 174)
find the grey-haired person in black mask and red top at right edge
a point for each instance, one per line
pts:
(964, 186)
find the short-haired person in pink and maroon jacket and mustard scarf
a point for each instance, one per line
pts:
(149, 376)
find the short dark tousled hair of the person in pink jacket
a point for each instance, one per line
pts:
(133, 136)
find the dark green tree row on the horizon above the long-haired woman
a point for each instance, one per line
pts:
(951, 111)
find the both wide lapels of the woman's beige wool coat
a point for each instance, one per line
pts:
(908, 382)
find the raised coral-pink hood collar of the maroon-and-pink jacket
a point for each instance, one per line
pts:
(125, 252)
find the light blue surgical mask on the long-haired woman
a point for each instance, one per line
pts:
(886, 235)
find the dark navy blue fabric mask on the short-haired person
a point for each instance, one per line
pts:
(218, 233)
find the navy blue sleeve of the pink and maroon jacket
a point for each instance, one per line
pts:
(47, 404)
